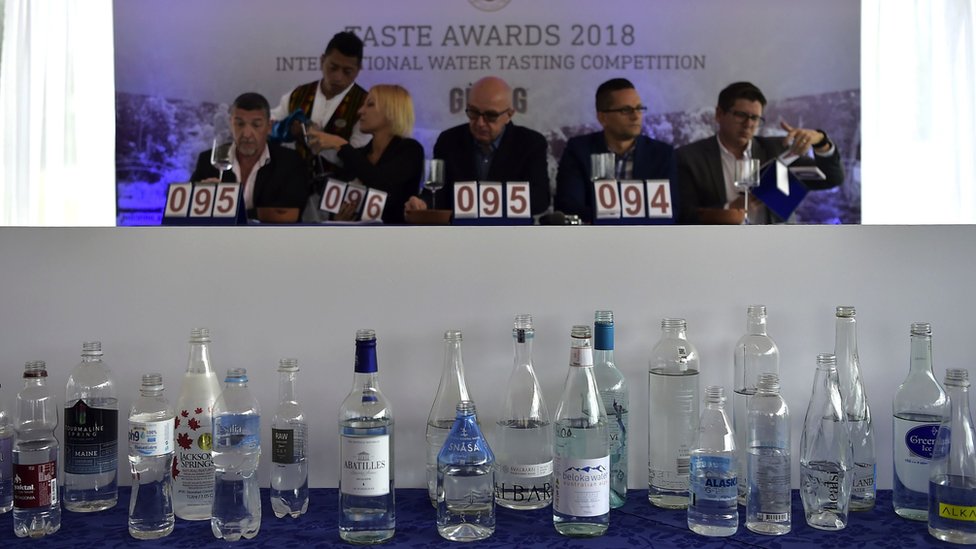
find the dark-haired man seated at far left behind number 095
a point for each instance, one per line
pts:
(273, 176)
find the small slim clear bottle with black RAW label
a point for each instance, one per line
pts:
(289, 441)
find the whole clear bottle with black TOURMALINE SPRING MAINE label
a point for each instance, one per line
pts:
(91, 434)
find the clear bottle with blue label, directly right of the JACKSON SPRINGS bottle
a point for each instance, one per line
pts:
(236, 454)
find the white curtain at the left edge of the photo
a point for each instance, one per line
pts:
(57, 113)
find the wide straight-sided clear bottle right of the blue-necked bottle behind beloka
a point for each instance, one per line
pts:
(672, 417)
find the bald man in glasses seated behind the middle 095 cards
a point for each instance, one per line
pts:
(491, 148)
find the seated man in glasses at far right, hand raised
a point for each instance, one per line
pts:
(706, 168)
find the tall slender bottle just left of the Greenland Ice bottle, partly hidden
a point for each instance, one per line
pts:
(855, 401)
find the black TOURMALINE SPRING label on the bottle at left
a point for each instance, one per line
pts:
(91, 444)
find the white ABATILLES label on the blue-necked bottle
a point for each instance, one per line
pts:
(365, 465)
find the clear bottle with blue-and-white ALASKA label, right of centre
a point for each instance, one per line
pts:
(714, 473)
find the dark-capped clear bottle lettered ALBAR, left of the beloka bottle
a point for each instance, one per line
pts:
(523, 440)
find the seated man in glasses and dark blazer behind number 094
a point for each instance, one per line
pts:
(620, 111)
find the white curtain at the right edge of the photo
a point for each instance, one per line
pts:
(918, 83)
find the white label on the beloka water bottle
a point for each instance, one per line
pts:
(582, 486)
